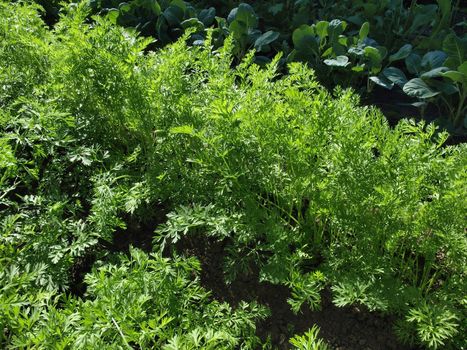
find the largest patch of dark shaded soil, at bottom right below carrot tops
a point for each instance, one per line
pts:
(349, 328)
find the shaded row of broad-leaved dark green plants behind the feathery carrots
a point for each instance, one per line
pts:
(418, 51)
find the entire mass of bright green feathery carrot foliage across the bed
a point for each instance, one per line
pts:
(304, 185)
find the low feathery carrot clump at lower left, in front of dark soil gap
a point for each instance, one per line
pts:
(145, 301)
